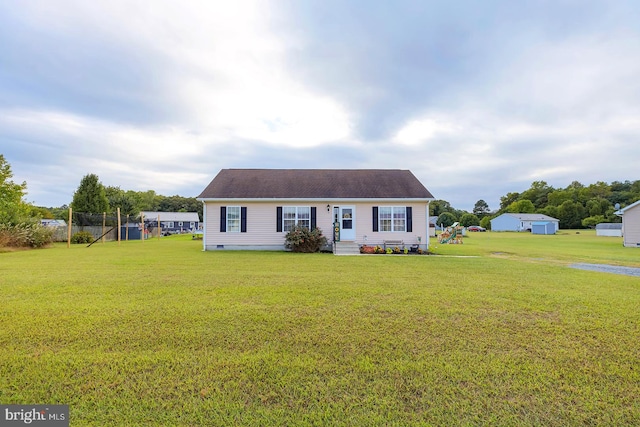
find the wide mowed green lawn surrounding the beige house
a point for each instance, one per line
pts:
(161, 333)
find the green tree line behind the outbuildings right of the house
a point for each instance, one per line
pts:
(575, 206)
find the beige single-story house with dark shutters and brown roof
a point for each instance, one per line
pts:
(254, 208)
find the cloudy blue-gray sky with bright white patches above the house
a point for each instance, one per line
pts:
(478, 99)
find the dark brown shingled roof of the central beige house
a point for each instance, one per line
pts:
(315, 184)
